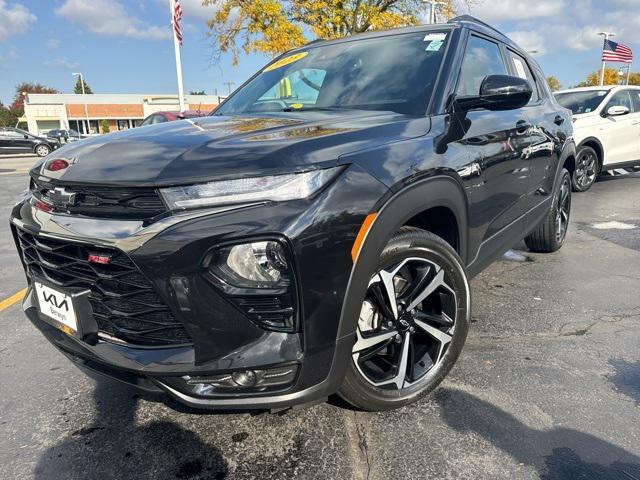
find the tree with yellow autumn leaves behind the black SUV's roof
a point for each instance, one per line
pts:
(273, 26)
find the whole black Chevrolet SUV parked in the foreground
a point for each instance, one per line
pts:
(314, 235)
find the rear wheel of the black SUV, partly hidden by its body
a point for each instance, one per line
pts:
(552, 231)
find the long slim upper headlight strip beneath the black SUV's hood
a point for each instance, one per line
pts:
(245, 190)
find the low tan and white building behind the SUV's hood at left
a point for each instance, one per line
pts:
(86, 113)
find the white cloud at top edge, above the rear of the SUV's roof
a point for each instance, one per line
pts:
(493, 11)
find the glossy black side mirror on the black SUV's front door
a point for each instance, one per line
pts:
(499, 92)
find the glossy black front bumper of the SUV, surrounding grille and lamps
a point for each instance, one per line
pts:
(169, 253)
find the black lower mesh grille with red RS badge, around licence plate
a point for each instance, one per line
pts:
(125, 304)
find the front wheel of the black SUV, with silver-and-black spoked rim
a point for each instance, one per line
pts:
(413, 323)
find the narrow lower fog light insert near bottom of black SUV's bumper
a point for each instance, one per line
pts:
(258, 380)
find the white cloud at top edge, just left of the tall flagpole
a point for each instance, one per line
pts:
(109, 17)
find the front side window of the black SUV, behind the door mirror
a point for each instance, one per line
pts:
(481, 58)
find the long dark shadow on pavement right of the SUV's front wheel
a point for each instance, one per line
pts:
(557, 454)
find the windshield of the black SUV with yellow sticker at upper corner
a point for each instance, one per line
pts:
(395, 73)
